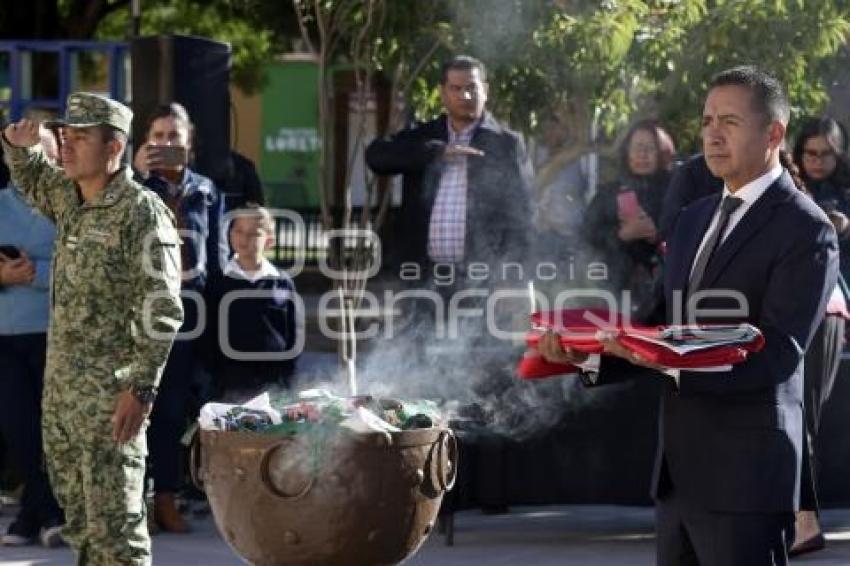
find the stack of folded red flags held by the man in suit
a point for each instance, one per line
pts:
(678, 347)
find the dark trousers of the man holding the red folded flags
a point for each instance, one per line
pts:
(689, 537)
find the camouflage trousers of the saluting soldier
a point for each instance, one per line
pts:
(98, 482)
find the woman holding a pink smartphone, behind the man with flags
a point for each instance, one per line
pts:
(621, 224)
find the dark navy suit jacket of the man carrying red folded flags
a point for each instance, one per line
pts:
(731, 442)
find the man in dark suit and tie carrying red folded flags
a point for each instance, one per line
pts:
(727, 473)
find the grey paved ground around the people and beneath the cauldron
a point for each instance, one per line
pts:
(542, 536)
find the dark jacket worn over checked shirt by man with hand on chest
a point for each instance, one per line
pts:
(498, 210)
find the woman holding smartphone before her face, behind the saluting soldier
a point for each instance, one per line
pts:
(163, 164)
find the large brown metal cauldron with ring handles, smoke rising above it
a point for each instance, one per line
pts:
(349, 500)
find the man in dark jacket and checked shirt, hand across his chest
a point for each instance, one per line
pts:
(466, 178)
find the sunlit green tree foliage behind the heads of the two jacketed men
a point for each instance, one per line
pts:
(620, 58)
